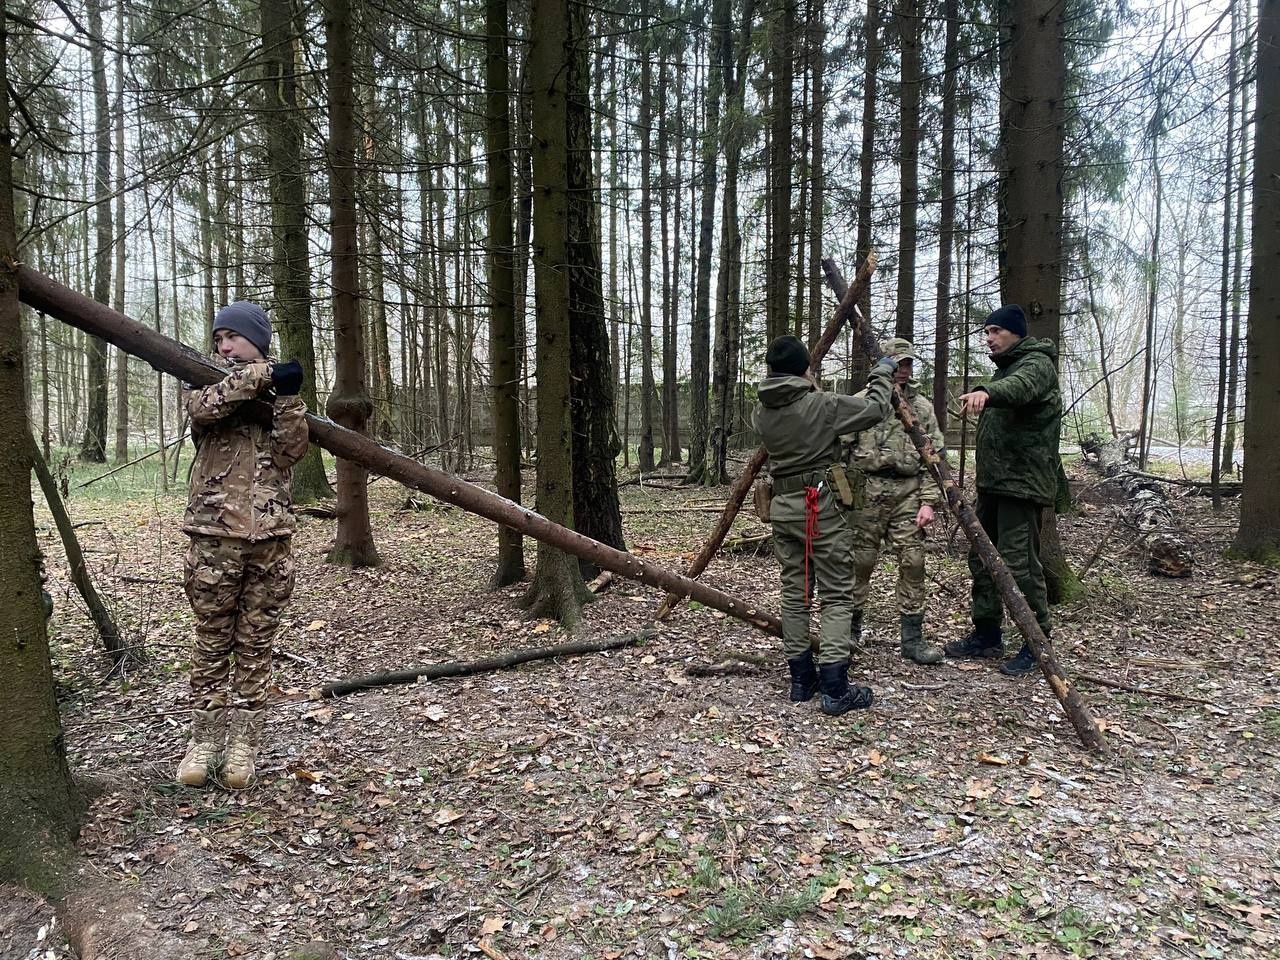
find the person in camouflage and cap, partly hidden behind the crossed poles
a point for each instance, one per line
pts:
(899, 504)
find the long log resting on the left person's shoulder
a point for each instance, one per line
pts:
(172, 358)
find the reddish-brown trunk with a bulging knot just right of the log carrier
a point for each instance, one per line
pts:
(349, 404)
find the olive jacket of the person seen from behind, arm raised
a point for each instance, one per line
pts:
(802, 427)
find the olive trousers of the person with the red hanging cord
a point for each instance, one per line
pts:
(831, 582)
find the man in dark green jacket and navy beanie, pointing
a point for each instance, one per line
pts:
(1018, 478)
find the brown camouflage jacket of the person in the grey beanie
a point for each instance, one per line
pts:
(240, 482)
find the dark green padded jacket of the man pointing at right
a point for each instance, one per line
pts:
(1018, 431)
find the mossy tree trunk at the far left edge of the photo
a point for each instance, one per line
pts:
(39, 804)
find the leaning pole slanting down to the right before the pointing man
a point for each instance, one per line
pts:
(1021, 612)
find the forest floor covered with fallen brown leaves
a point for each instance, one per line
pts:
(616, 807)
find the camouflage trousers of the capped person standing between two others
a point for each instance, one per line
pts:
(890, 516)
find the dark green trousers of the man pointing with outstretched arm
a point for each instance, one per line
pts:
(1013, 527)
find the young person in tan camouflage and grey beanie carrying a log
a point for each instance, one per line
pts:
(240, 518)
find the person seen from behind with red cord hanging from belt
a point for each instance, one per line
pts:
(801, 427)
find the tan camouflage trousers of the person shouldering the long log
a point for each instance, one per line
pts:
(239, 592)
